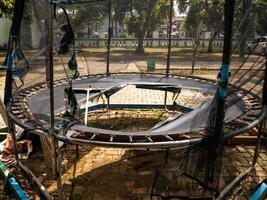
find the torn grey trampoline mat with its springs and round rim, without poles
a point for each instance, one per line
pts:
(30, 109)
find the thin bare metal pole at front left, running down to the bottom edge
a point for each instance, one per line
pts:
(54, 145)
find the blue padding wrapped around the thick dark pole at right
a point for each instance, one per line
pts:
(224, 77)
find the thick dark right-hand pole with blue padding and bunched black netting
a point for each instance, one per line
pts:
(215, 123)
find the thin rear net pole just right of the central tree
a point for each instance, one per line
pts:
(169, 49)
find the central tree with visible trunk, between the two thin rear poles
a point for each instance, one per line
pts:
(142, 17)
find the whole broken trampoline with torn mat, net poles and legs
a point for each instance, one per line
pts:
(52, 109)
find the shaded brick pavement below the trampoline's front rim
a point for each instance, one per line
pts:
(103, 173)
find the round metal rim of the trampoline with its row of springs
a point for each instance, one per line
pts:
(20, 115)
